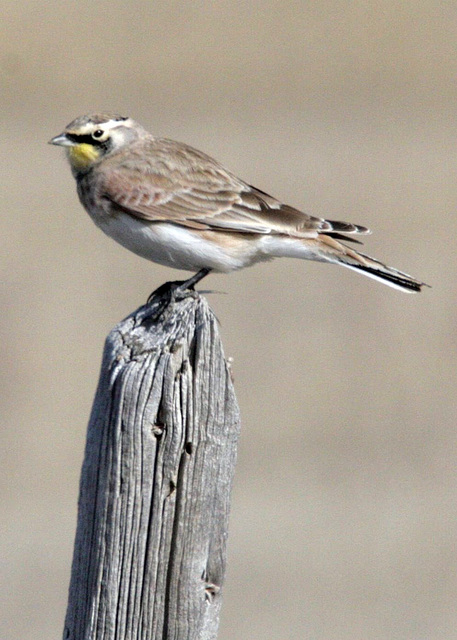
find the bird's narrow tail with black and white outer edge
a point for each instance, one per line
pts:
(338, 253)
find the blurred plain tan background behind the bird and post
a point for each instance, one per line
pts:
(343, 520)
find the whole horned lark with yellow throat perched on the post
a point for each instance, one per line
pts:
(174, 205)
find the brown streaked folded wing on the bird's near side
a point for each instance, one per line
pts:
(206, 197)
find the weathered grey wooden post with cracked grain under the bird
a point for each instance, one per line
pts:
(149, 557)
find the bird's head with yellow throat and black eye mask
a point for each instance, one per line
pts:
(88, 139)
